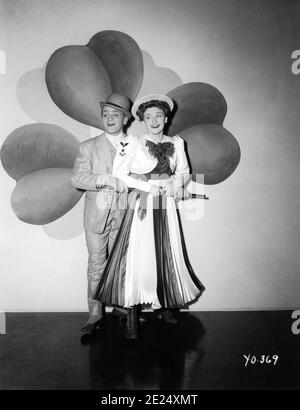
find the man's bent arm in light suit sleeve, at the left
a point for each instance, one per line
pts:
(82, 176)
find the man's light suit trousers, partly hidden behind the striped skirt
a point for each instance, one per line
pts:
(99, 246)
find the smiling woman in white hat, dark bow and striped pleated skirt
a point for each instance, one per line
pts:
(148, 263)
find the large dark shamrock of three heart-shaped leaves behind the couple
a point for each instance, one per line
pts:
(40, 157)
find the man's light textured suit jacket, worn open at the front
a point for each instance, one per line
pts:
(93, 166)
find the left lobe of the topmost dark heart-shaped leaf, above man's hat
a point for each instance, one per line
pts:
(77, 80)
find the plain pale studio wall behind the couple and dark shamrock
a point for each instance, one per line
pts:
(244, 246)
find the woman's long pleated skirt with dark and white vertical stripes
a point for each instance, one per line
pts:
(148, 263)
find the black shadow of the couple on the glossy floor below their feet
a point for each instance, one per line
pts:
(163, 357)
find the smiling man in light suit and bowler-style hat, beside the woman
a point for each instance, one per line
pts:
(106, 196)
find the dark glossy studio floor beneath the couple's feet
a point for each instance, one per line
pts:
(205, 351)
